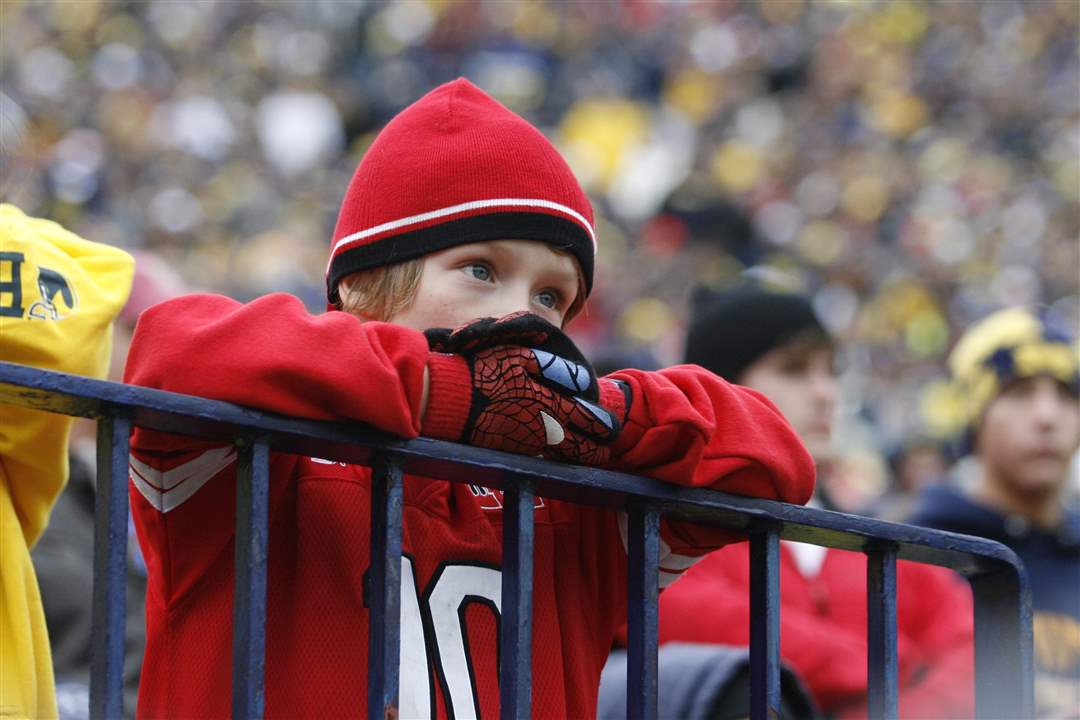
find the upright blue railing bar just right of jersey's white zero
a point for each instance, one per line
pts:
(516, 636)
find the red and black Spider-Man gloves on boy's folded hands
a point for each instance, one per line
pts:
(497, 384)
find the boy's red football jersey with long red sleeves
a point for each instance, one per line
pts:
(685, 426)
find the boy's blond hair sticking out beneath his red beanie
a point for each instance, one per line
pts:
(382, 293)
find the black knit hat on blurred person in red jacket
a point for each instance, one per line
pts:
(731, 331)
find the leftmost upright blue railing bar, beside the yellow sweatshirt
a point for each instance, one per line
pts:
(111, 568)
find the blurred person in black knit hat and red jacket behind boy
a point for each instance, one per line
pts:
(775, 344)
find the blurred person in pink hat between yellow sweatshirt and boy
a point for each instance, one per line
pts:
(64, 556)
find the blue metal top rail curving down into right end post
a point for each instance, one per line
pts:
(1003, 600)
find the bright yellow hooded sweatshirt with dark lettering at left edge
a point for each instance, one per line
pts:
(59, 295)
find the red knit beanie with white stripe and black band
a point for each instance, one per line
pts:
(456, 168)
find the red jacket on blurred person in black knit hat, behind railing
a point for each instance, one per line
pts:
(823, 628)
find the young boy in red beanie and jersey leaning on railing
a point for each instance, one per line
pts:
(461, 210)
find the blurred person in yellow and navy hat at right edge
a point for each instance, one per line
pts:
(1018, 382)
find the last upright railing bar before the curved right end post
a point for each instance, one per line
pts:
(882, 632)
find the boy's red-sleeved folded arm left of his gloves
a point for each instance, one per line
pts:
(274, 356)
